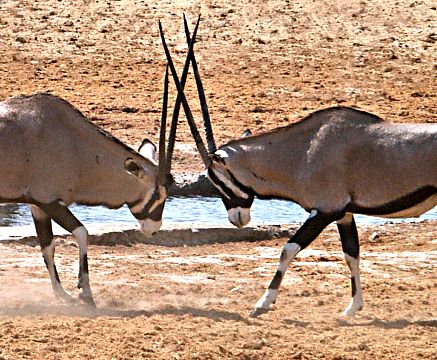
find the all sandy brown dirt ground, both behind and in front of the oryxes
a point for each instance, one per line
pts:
(264, 64)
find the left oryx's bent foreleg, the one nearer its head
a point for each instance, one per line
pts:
(63, 216)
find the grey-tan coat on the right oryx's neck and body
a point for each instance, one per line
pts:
(337, 156)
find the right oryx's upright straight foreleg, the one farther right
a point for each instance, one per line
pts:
(351, 249)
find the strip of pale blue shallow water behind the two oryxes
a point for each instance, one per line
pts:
(208, 211)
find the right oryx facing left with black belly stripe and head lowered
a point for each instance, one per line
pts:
(334, 163)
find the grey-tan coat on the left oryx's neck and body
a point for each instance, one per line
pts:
(49, 151)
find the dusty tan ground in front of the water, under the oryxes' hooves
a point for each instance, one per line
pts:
(192, 302)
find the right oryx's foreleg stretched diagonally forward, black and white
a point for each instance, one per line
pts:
(311, 228)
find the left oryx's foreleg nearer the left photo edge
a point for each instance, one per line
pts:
(43, 226)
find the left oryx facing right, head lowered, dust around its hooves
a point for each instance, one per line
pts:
(51, 156)
